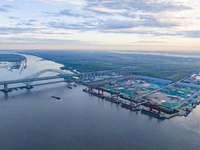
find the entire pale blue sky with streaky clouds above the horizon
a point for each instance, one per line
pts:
(100, 24)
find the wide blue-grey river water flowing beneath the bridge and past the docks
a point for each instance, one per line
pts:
(32, 120)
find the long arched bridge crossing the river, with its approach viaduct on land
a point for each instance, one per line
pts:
(61, 74)
